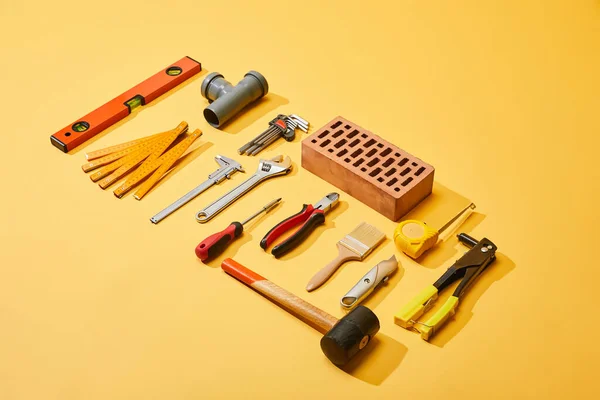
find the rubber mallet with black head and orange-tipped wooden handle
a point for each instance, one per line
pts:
(343, 338)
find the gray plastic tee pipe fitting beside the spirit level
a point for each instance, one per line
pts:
(228, 100)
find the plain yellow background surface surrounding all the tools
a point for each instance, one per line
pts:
(502, 97)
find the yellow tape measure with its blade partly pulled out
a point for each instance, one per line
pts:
(415, 237)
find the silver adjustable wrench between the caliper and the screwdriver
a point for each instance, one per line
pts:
(276, 166)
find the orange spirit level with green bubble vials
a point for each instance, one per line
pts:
(118, 108)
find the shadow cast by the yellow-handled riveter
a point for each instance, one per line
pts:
(494, 272)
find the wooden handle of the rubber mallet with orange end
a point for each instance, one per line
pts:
(310, 314)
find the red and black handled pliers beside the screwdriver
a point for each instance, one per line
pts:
(309, 217)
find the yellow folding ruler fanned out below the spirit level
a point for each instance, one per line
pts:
(149, 157)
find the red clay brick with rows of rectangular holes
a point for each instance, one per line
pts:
(370, 169)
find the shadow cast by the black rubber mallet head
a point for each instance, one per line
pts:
(377, 361)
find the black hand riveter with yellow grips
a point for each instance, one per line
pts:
(467, 268)
